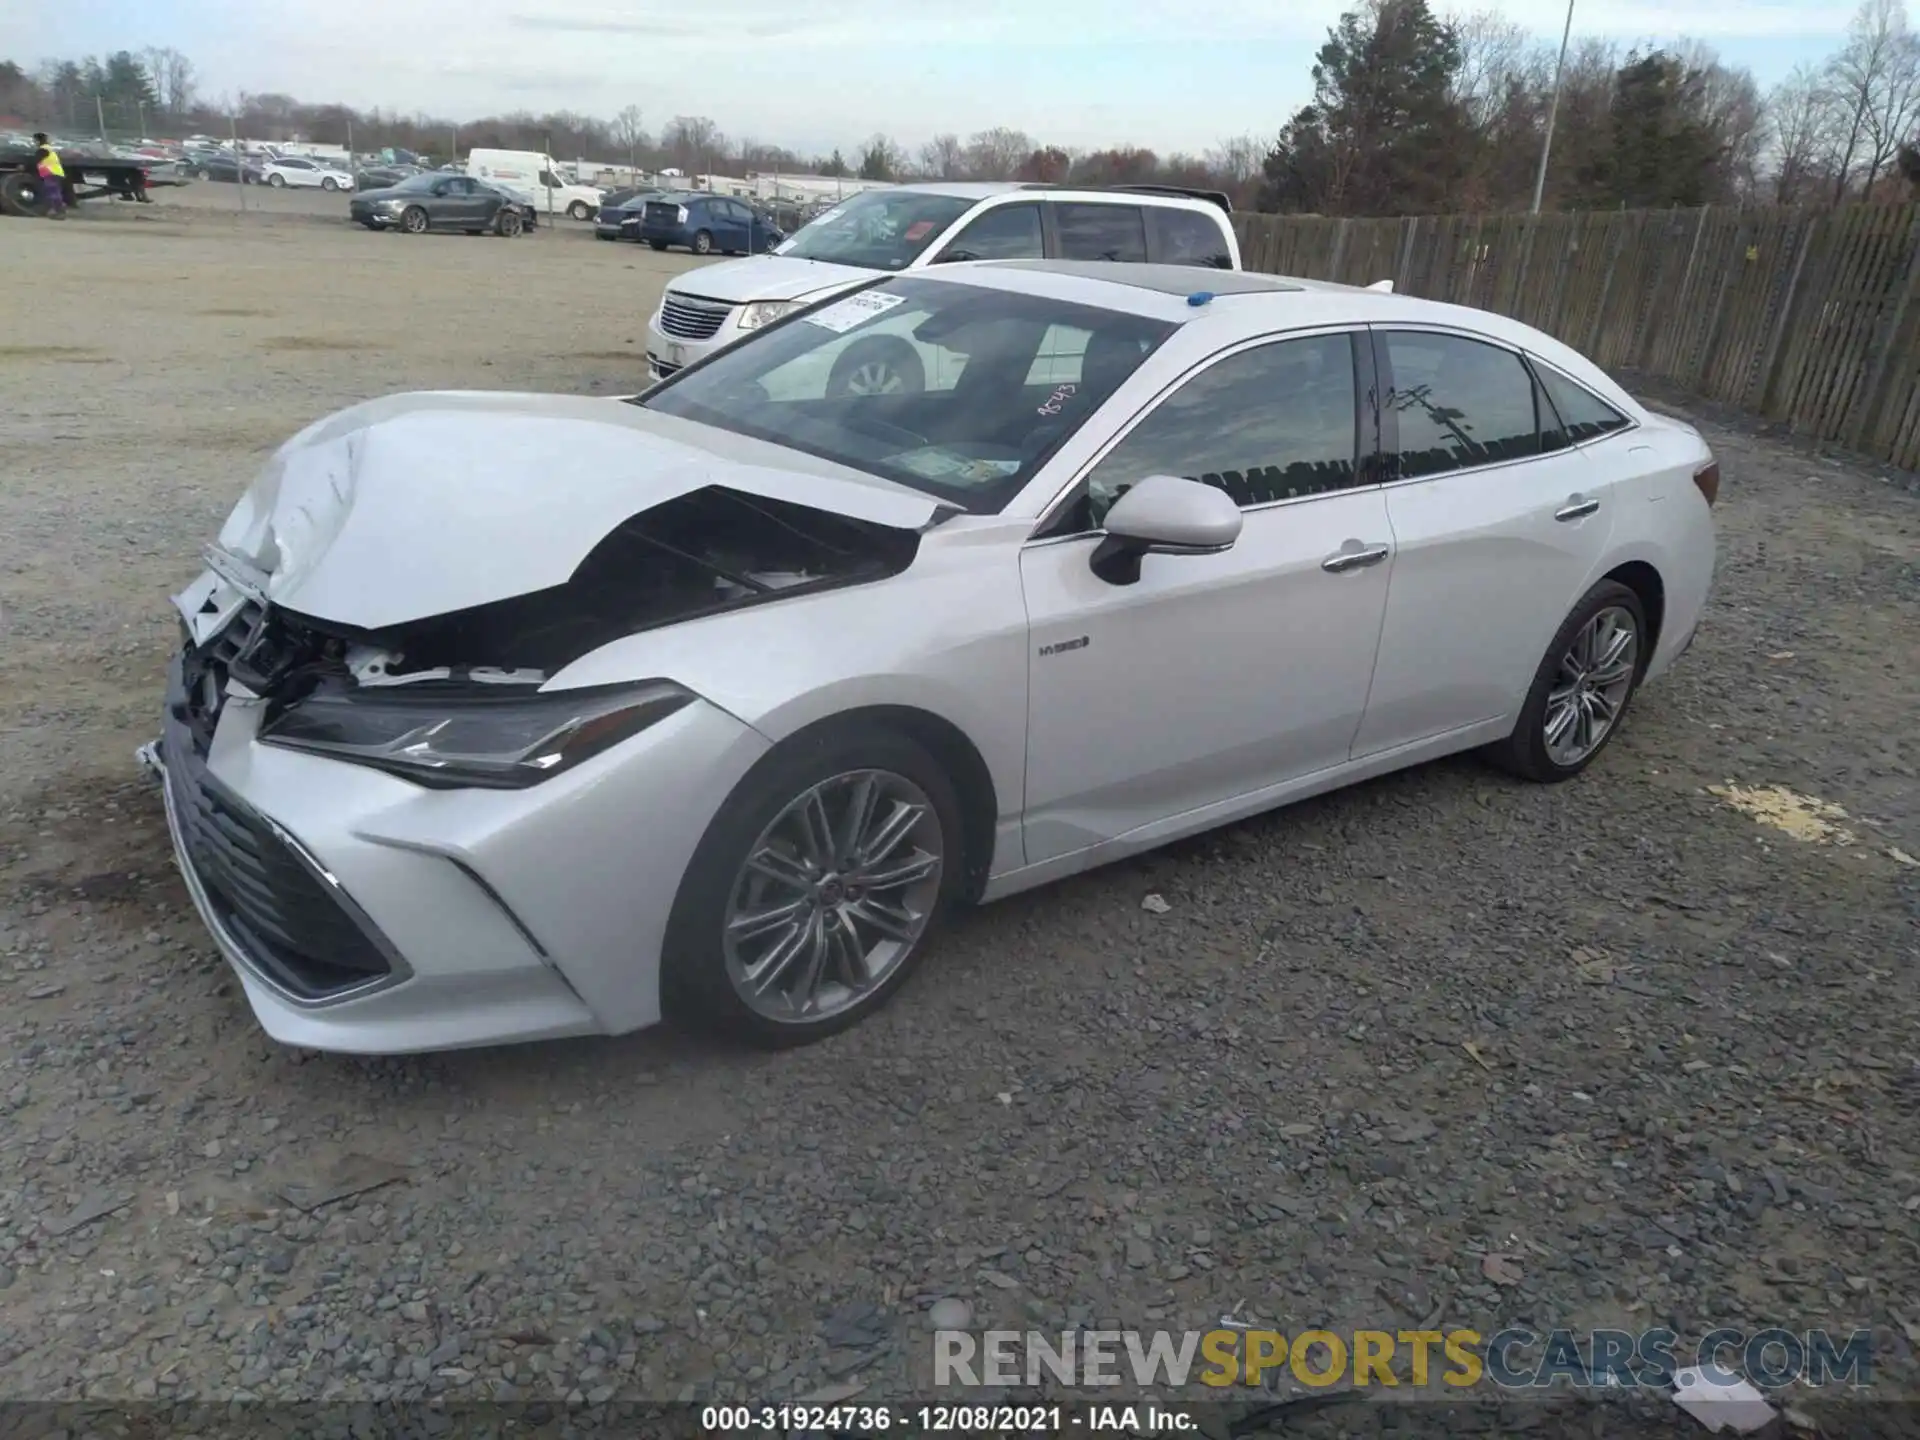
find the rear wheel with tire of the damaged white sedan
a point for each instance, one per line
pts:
(1581, 690)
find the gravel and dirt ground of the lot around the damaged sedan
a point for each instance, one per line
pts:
(1441, 1049)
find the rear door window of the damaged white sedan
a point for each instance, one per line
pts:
(1458, 402)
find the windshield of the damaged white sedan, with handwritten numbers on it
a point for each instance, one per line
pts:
(957, 391)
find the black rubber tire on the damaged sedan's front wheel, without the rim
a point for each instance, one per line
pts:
(700, 982)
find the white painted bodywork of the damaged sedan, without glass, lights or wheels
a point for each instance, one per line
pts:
(1214, 688)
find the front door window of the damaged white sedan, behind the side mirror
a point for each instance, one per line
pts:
(1272, 423)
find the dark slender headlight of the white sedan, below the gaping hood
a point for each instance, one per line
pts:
(487, 742)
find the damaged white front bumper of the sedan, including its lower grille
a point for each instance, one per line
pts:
(368, 915)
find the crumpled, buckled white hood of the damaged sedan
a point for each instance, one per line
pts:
(423, 504)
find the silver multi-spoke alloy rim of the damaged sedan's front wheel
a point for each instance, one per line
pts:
(834, 896)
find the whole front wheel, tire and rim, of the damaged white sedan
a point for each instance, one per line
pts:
(813, 894)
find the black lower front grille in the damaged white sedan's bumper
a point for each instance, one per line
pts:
(289, 923)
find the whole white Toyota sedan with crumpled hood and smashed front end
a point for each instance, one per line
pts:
(512, 717)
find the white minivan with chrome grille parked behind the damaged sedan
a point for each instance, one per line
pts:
(909, 228)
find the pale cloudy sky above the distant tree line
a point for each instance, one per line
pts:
(1163, 74)
